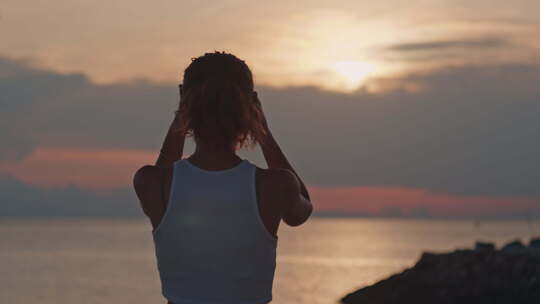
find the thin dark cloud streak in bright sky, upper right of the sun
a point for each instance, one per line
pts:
(449, 44)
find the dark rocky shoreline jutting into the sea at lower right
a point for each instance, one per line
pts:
(481, 275)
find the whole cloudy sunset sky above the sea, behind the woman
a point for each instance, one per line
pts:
(390, 108)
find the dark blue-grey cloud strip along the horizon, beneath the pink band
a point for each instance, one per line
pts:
(23, 201)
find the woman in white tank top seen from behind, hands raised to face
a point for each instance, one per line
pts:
(215, 216)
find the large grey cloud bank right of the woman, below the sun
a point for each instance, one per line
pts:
(471, 131)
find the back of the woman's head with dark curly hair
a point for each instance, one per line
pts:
(217, 102)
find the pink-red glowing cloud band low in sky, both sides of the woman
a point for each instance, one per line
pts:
(105, 169)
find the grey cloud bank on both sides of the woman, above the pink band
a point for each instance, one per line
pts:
(473, 130)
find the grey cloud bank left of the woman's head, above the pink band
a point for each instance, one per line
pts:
(40, 107)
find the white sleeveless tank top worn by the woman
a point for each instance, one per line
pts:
(211, 244)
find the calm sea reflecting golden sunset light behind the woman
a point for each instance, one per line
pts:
(112, 260)
